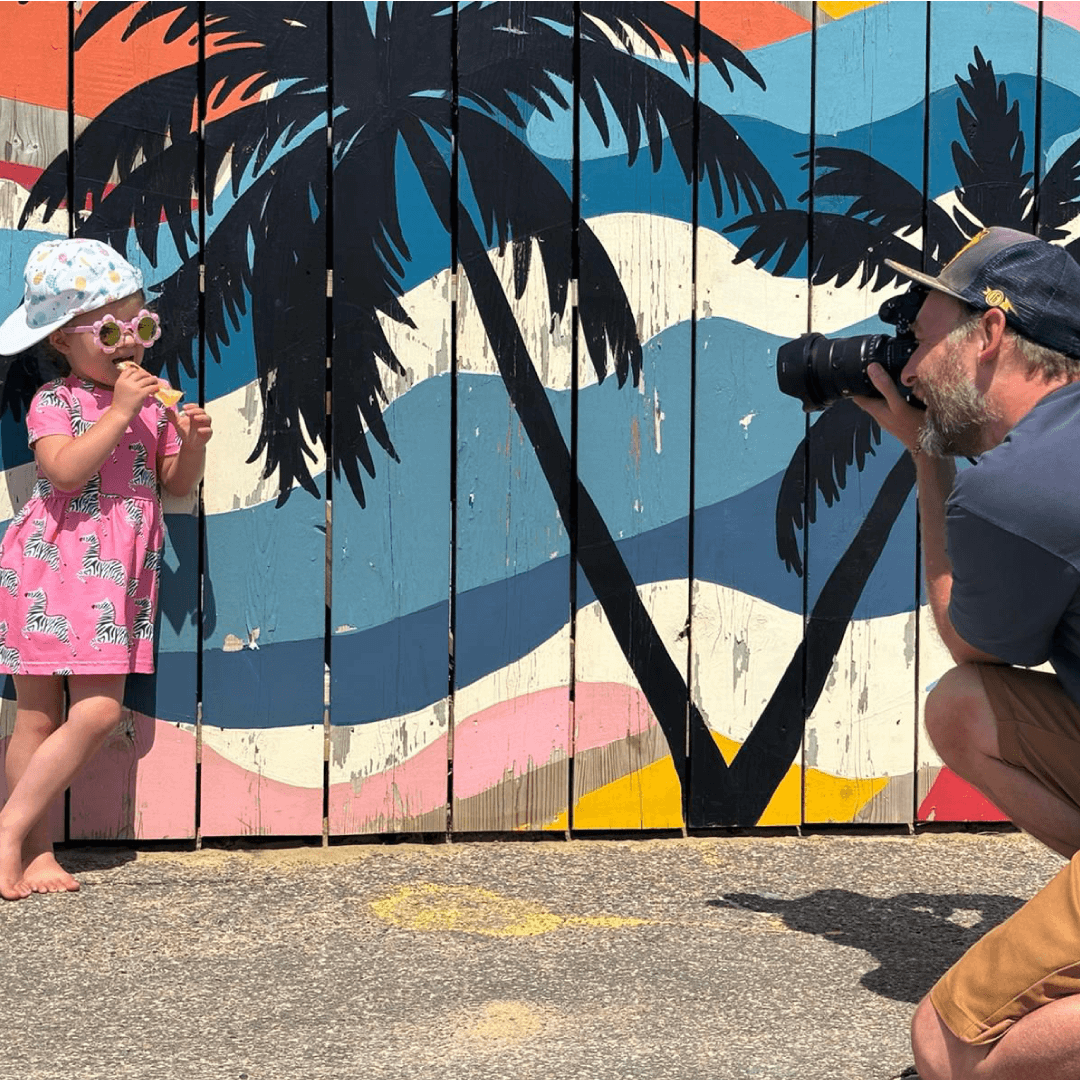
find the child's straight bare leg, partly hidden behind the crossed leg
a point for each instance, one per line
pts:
(39, 714)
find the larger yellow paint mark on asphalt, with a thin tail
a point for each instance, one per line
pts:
(469, 910)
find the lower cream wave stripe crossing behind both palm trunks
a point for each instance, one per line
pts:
(732, 687)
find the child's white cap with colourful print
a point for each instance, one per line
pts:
(66, 278)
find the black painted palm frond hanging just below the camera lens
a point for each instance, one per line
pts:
(842, 437)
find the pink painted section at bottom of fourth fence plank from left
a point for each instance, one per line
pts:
(375, 804)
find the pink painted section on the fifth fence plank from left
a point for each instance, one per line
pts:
(511, 738)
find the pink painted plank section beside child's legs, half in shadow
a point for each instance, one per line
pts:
(143, 790)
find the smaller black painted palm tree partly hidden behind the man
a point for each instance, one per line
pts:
(884, 210)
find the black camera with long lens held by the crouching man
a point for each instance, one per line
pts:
(821, 371)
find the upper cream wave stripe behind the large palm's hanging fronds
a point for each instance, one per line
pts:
(738, 293)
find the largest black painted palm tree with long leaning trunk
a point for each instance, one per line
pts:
(398, 100)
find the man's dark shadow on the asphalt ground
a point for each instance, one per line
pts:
(914, 937)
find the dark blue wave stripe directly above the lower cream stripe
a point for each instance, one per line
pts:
(402, 667)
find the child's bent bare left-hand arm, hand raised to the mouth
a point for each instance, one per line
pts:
(69, 462)
